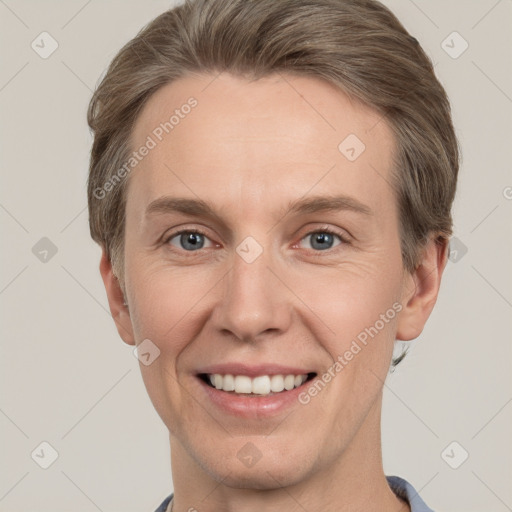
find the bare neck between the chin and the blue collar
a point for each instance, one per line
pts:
(353, 481)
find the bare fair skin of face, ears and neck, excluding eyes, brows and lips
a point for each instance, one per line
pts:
(250, 148)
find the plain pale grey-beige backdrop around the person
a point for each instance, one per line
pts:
(68, 379)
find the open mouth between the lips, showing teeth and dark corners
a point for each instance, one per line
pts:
(257, 386)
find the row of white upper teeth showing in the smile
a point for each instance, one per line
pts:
(261, 385)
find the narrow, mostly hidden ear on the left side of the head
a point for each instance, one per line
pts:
(115, 296)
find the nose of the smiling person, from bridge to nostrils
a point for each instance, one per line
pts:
(254, 302)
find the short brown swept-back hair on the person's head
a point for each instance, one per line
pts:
(357, 45)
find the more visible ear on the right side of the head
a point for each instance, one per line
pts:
(421, 288)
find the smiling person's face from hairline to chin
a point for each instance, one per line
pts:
(260, 253)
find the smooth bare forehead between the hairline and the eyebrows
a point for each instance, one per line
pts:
(261, 142)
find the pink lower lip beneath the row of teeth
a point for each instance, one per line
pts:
(253, 406)
